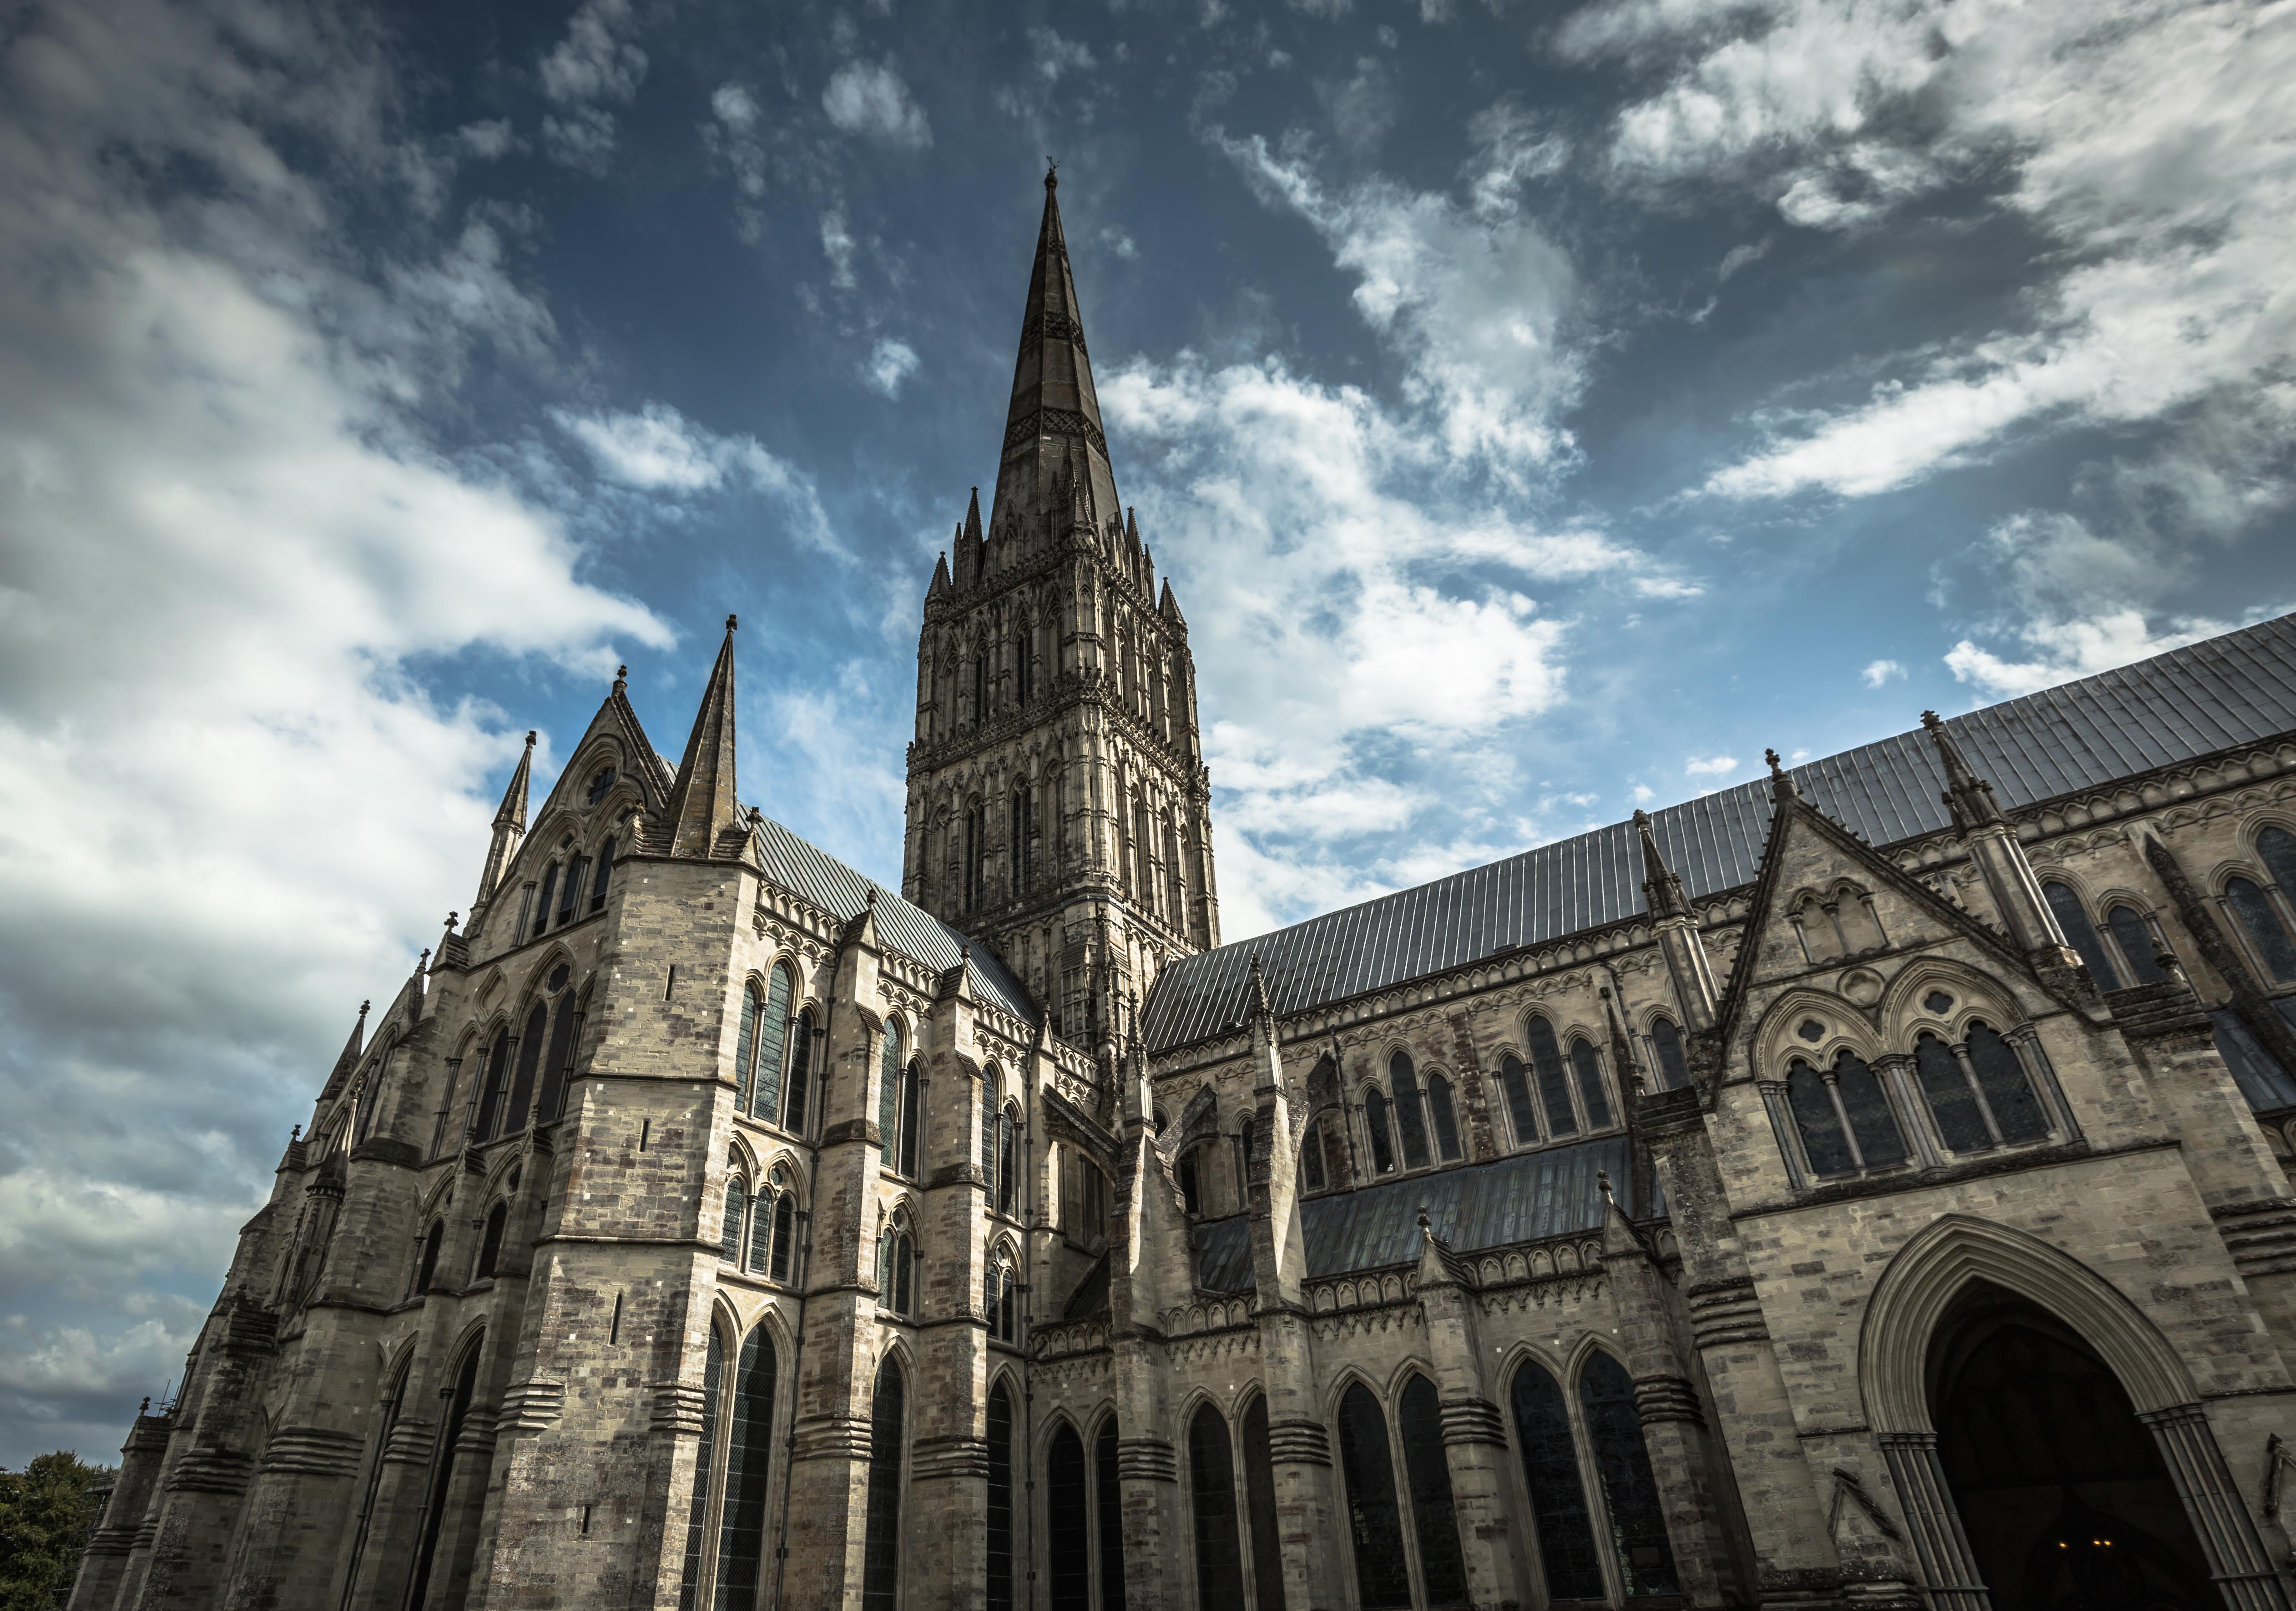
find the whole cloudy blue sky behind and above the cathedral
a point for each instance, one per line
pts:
(1537, 410)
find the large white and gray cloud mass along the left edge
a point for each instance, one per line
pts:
(217, 398)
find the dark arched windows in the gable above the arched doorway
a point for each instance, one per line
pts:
(1967, 1098)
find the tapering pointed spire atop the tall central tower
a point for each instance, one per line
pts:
(1053, 389)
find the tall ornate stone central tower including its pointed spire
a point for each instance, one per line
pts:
(1060, 807)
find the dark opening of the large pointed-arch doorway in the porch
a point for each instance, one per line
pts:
(2061, 1488)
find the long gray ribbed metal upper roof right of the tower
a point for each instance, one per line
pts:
(2180, 706)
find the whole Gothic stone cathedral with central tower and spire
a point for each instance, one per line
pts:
(1859, 1190)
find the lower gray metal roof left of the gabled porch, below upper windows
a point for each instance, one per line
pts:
(1526, 1197)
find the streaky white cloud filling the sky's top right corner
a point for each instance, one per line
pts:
(2148, 141)
